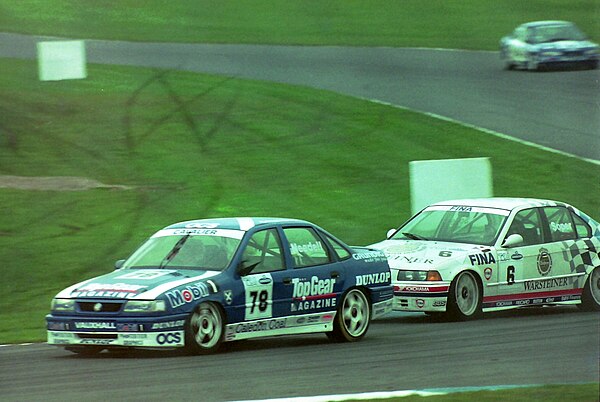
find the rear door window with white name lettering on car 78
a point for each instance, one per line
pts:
(306, 247)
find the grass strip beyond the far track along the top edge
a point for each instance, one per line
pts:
(468, 24)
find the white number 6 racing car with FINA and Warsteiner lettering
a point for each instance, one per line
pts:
(464, 257)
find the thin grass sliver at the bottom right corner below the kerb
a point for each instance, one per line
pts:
(546, 393)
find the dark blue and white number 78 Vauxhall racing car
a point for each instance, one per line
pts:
(199, 283)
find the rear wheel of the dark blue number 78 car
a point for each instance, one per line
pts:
(353, 317)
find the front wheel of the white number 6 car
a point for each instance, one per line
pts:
(465, 297)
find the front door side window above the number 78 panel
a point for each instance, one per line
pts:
(264, 252)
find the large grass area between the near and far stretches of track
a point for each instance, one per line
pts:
(196, 146)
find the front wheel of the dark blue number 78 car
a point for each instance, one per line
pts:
(205, 329)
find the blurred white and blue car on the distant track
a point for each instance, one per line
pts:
(541, 44)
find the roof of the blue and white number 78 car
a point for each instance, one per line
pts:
(235, 223)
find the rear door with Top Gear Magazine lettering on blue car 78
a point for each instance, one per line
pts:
(316, 279)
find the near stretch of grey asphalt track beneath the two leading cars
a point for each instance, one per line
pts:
(403, 351)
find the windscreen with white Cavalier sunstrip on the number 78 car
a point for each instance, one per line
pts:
(187, 249)
